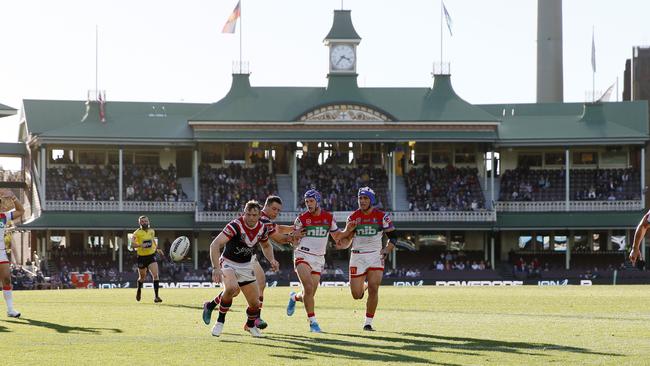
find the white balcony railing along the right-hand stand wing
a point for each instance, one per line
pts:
(559, 206)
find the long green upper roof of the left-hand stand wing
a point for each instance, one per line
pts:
(126, 122)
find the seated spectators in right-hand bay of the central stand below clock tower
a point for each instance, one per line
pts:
(444, 189)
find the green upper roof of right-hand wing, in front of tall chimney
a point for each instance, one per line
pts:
(571, 123)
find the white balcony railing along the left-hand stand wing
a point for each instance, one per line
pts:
(130, 206)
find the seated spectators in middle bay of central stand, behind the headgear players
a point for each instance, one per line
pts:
(338, 184)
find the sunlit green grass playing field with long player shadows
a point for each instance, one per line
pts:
(599, 325)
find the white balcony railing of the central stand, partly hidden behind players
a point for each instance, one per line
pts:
(341, 216)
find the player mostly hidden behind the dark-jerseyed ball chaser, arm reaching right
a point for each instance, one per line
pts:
(281, 234)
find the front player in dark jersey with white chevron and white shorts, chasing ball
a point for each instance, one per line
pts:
(234, 267)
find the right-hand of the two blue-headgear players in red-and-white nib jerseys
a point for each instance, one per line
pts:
(367, 257)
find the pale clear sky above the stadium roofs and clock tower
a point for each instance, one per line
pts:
(174, 51)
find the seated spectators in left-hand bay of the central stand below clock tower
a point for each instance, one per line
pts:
(229, 188)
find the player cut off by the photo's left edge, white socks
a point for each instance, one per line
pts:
(5, 272)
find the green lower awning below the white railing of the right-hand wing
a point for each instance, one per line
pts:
(568, 220)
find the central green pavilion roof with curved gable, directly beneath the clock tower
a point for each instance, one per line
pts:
(283, 104)
